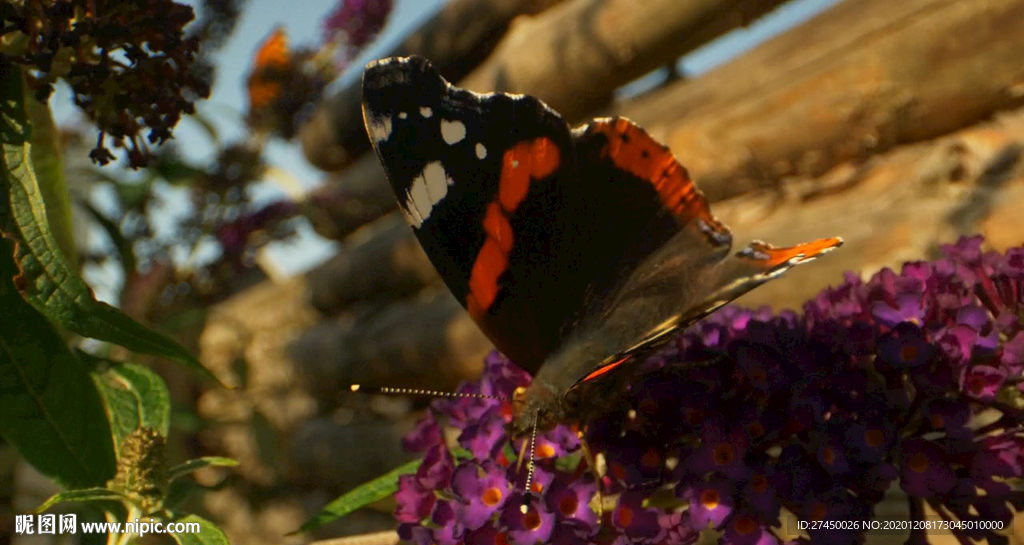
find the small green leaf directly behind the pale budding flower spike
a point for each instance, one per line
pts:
(135, 396)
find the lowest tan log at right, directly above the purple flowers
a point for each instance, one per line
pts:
(899, 207)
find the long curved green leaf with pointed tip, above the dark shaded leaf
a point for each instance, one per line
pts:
(54, 287)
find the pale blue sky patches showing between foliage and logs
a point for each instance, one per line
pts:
(303, 19)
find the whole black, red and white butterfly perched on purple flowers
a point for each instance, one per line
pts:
(577, 251)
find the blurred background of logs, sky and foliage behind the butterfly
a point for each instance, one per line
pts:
(265, 236)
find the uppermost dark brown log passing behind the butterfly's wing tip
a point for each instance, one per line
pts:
(457, 39)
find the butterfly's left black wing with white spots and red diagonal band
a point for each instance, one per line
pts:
(482, 179)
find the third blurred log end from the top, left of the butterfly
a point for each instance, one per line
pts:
(390, 265)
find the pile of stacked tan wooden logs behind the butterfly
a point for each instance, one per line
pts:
(897, 125)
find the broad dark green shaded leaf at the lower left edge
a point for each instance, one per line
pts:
(50, 409)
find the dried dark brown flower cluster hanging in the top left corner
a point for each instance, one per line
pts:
(131, 65)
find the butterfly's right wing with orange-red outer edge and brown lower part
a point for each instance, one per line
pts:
(685, 273)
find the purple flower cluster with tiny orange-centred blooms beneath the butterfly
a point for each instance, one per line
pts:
(751, 422)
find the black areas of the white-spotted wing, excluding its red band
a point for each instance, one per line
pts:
(526, 320)
